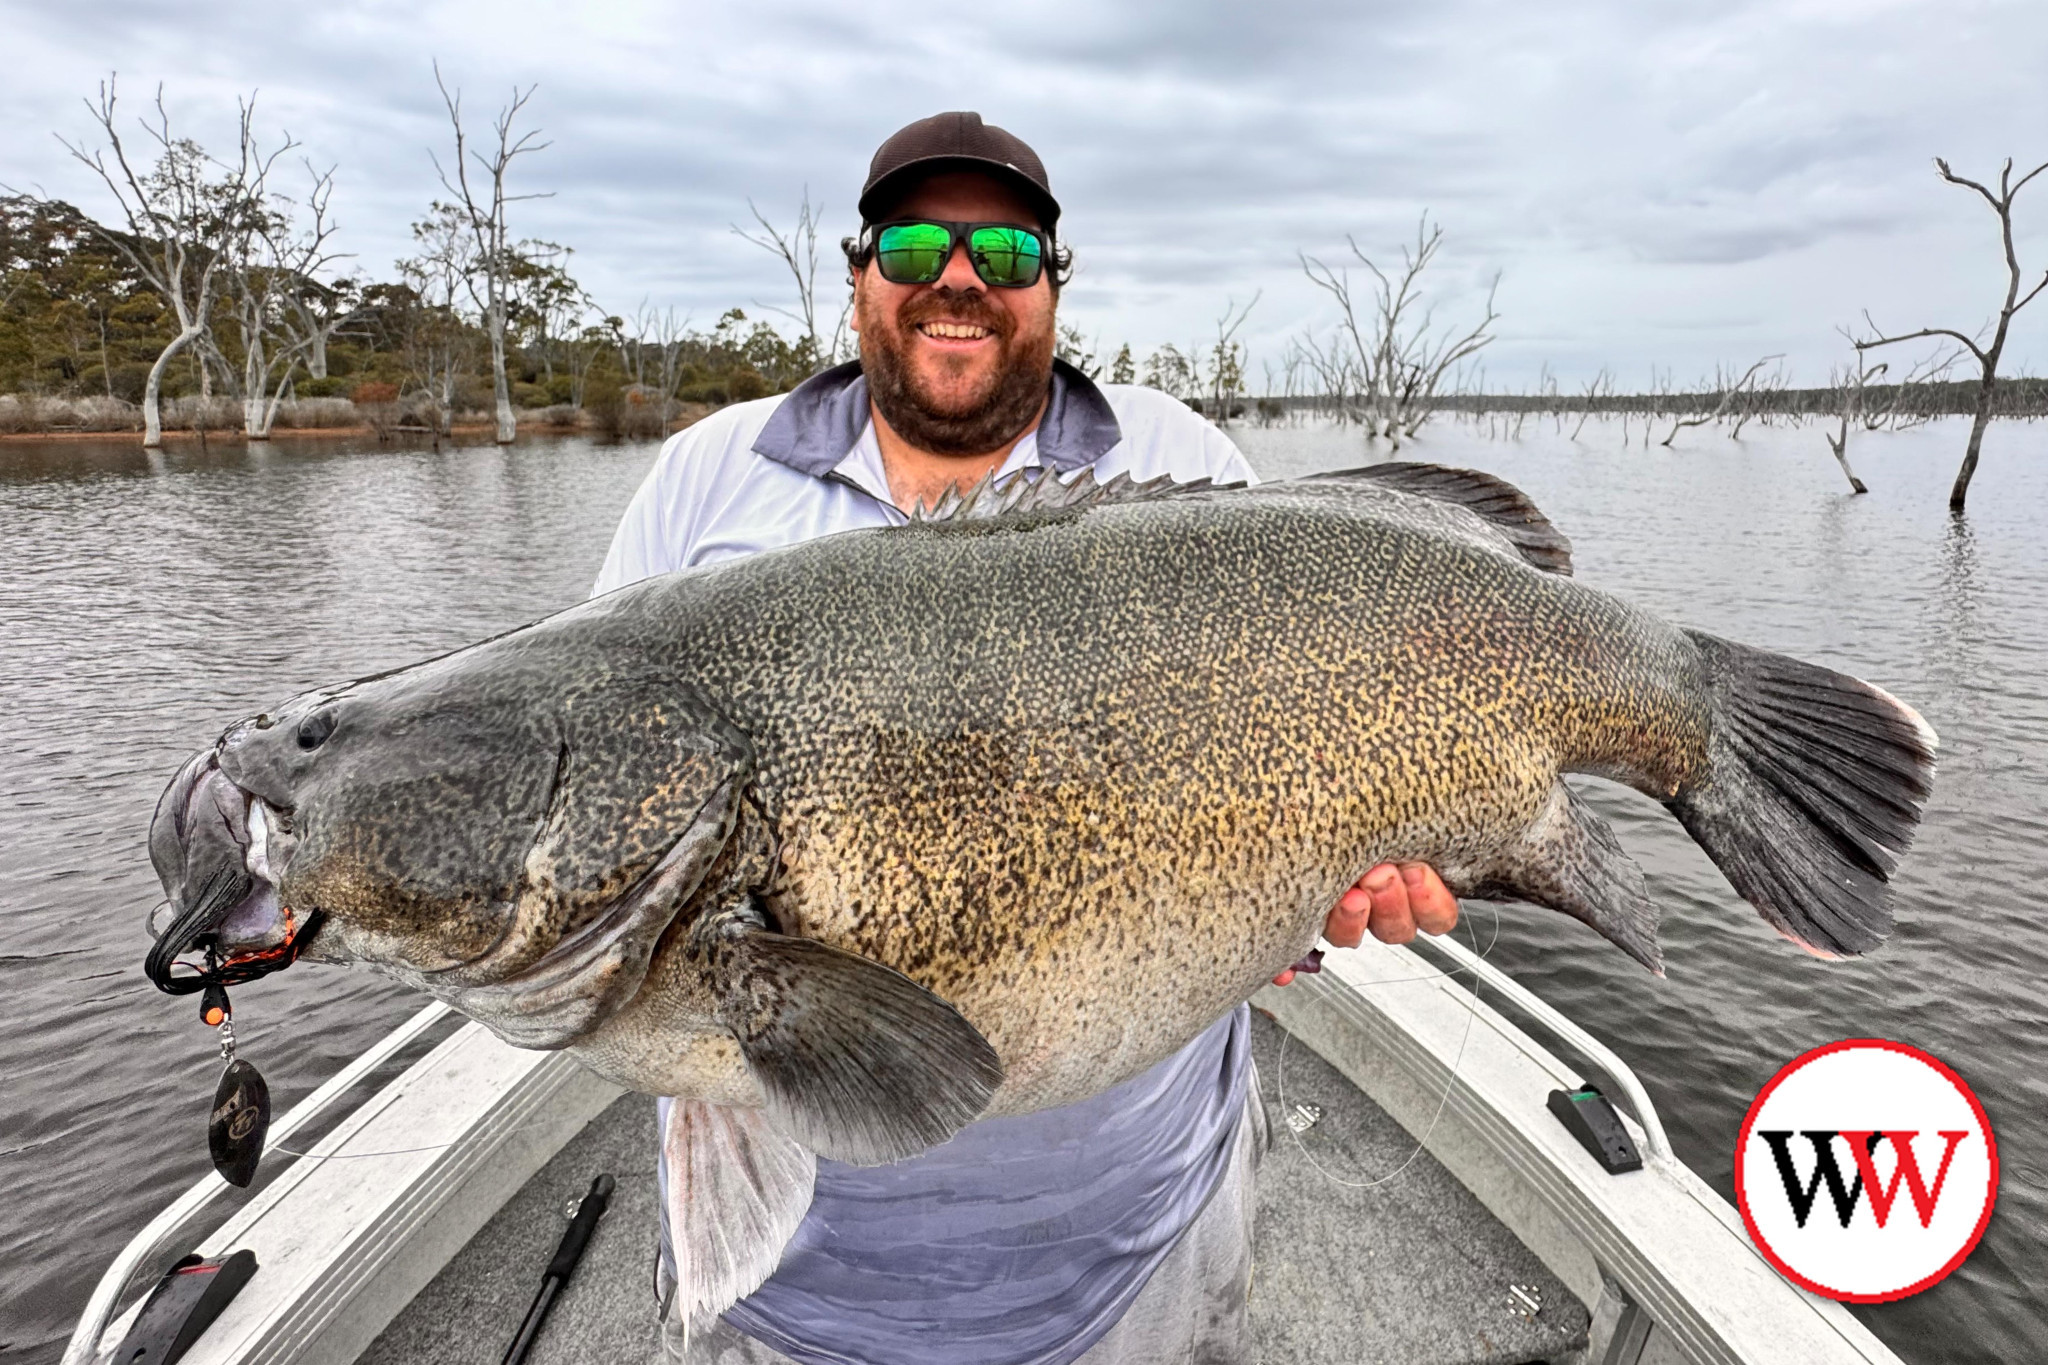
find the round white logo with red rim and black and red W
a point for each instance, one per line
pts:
(1867, 1172)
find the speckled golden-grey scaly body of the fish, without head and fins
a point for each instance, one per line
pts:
(1062, 764)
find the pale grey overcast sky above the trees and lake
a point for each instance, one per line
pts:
(1660, 183)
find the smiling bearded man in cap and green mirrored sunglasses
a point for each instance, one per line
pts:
(1115, 1231)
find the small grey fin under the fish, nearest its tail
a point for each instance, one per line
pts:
(1570, 861)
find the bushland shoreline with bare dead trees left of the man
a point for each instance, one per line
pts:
(220, 283)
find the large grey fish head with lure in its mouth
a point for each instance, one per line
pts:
(503, 832)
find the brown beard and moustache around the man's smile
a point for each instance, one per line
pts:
(990, 416)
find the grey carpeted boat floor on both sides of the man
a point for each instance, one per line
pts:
(1408, 1272)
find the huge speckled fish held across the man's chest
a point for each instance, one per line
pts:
(859, 840)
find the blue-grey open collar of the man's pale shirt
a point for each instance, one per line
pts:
(814, 429)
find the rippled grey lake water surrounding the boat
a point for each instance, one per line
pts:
(151, 601)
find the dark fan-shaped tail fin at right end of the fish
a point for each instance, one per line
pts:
(1814, 789)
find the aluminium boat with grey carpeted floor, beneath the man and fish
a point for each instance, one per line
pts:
(1424, 1200)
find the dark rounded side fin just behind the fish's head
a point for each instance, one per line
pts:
(857, 1061)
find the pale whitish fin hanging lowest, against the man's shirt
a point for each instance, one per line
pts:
(736, 1192)
